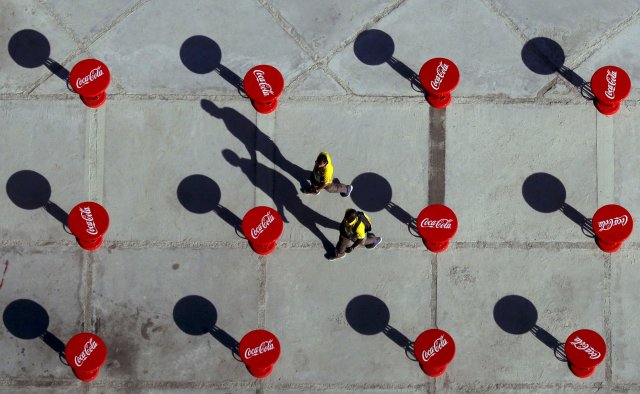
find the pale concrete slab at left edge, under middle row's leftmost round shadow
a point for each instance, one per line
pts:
(42, 183)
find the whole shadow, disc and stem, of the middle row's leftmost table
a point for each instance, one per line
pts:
(30, 190)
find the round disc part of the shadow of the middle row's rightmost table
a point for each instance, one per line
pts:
(544, 192)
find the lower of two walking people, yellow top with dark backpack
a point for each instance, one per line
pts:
(356, 228)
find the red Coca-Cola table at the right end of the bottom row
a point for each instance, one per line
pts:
(585, 350)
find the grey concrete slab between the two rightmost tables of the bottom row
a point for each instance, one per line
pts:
(471, 284)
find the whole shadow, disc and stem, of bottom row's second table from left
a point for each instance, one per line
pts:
(195, 315)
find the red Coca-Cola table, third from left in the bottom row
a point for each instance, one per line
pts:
(434, 350)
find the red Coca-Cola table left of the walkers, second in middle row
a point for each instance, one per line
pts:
(262, 226)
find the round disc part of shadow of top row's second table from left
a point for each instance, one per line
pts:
(200, 54)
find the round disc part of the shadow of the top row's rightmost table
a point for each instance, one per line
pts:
(542, 55)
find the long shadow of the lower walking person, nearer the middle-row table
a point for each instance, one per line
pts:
(284, 195)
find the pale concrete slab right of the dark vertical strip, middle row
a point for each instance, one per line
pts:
(483, 144)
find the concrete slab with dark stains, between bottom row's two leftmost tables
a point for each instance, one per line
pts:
(139, 315)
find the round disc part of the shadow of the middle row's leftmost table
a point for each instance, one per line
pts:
(28, 189)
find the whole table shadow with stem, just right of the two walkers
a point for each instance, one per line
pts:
(372, 193)
